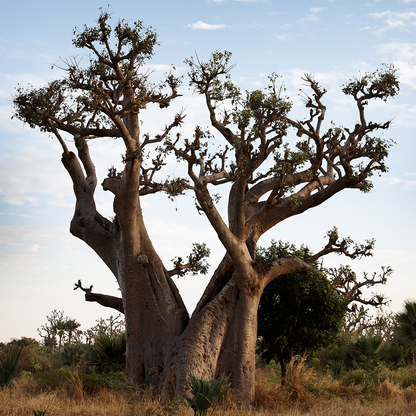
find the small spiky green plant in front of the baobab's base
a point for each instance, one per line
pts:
(206, 394)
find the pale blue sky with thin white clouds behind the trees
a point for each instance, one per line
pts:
(332, 39)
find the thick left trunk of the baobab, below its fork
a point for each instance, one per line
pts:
(155, 314)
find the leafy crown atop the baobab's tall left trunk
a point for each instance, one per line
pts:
(79, 99)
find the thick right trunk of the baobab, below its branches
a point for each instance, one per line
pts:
(220, 339)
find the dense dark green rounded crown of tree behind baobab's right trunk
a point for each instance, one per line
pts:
(297, 312)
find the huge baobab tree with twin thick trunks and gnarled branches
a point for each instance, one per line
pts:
(267, 181)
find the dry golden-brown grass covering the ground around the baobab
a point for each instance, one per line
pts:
(379, 393)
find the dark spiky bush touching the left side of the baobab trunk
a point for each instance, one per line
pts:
(108, 353)
